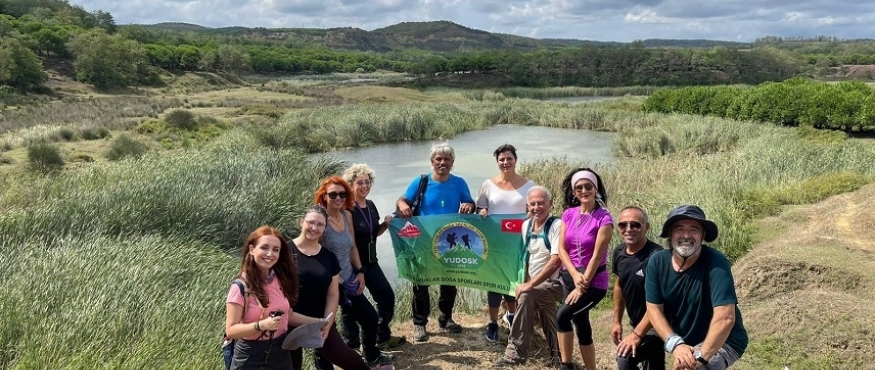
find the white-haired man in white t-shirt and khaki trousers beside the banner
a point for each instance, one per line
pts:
(537, 296)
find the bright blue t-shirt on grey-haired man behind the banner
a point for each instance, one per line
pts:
(441, 197)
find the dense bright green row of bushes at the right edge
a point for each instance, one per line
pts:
(846, 106)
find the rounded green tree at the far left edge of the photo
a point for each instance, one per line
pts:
(19, 66)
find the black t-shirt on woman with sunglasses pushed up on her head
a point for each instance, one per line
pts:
(315, 274)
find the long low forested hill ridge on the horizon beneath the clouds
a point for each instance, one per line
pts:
(439, 36)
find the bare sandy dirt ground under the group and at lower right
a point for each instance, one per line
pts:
(805, 292)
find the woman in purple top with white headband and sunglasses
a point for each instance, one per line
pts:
(587, 228)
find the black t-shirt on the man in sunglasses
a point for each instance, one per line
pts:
(630, 271)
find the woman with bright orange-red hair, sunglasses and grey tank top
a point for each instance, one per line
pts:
(336, 196)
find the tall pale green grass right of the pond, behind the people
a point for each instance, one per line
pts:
(761, 168)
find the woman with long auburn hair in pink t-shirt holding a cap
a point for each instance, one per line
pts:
(259, 310)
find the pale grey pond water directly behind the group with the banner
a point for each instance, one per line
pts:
(397, 165)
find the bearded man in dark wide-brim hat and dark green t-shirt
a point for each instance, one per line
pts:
(690, 293)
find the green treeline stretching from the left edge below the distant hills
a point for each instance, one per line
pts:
(109, 56)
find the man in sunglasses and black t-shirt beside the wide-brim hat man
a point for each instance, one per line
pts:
(642, 345)
